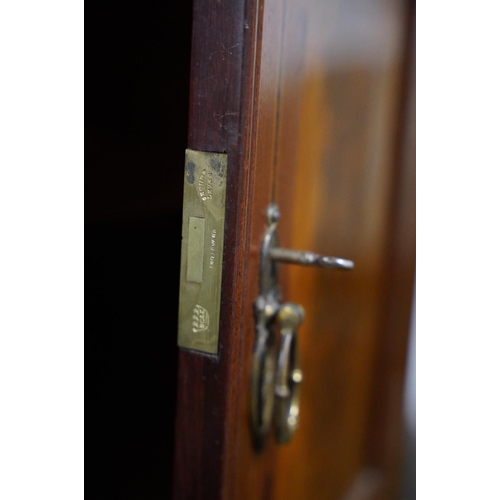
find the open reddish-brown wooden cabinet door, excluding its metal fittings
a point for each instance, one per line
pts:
(313, 102)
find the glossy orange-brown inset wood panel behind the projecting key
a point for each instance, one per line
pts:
(341, 194)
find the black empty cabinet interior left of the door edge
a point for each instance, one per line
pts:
(136, 106)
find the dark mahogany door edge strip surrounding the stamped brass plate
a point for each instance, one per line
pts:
(223, 44)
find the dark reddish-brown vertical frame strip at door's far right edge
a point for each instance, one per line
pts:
(385, 428)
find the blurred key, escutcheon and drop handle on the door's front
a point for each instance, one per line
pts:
(276, 378)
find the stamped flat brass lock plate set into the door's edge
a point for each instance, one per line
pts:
(202, 250)
